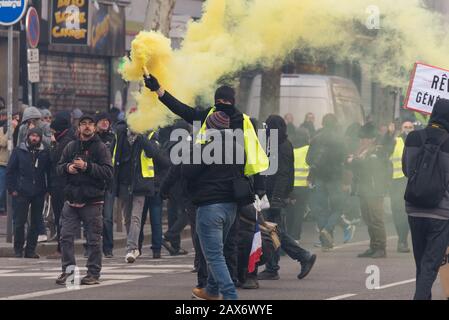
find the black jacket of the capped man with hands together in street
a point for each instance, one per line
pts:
(88, 186)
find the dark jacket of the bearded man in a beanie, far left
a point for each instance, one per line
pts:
(28, 173)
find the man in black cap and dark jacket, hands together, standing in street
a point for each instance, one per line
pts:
(86, 164)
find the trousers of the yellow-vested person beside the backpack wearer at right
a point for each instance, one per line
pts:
(398, 208)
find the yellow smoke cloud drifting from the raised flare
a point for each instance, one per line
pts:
(234, 34)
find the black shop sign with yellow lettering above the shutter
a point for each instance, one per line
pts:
(70, 22)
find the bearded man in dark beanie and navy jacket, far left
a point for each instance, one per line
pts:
(26, 177)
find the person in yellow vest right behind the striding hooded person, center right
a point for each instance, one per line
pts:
(295, 212)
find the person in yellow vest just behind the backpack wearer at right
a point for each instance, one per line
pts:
(397, 189)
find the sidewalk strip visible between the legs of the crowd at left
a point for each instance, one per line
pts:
(46, 248)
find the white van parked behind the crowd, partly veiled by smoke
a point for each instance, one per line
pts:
(303, 93)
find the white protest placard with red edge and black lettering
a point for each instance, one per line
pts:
(427, 85)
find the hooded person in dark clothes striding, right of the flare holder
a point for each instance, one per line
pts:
(279, 187)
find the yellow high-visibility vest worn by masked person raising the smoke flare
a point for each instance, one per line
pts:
(256, 159)
